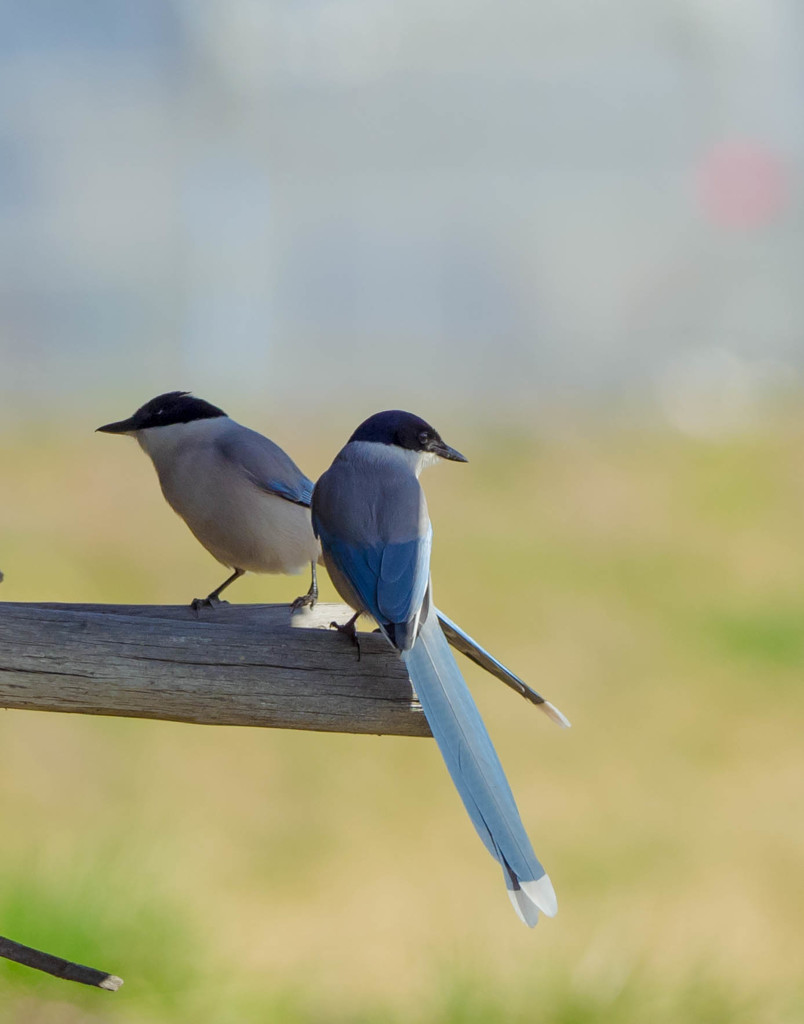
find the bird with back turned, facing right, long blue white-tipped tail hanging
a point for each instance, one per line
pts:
(370, 514)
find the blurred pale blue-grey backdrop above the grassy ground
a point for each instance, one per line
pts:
(484, 203)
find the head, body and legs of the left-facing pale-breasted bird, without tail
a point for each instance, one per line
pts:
(241, 496)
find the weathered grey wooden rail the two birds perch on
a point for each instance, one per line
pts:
(234, 665)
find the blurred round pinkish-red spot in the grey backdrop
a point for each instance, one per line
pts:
(742, 185)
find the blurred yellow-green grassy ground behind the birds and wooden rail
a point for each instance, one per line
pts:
(651, 585)
